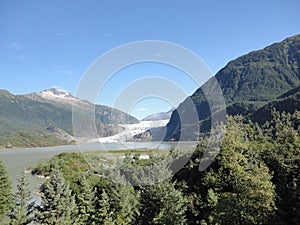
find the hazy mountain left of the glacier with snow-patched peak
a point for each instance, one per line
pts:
(45, 118)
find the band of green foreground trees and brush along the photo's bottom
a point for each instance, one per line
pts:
(254, 179)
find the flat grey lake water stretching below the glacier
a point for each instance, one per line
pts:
(18, 160)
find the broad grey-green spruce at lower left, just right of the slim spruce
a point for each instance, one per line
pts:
(58, 203)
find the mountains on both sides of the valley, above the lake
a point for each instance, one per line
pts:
(252, 85)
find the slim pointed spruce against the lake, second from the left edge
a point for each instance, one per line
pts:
(22, 212)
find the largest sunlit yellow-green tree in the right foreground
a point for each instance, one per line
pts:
(244, 193)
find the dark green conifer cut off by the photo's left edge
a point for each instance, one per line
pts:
(6, 197)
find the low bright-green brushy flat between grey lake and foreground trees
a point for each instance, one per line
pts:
(73, 165)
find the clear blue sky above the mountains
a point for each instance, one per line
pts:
(52, 43)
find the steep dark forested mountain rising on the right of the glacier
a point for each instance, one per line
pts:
(248, 83)
